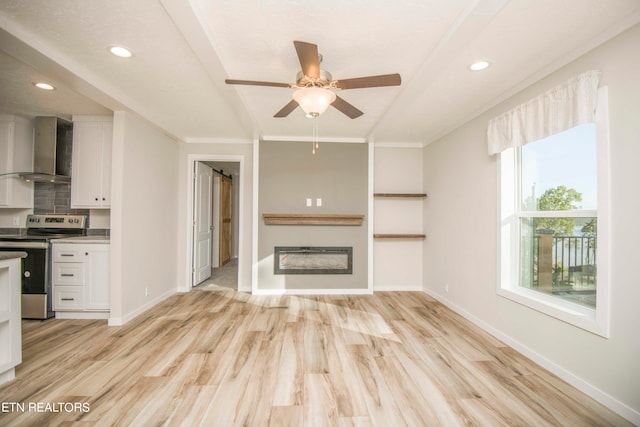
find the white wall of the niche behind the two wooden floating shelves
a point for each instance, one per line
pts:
(397, 263)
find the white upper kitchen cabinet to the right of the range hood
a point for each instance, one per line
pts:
(91, 163)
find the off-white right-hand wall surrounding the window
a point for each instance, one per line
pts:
(460, 221)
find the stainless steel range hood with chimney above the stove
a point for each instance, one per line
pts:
(52, 151)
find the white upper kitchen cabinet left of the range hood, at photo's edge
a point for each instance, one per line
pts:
(16, 155)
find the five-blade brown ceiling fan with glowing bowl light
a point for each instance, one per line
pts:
(315, 85)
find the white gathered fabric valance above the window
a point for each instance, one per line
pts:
(568, 105)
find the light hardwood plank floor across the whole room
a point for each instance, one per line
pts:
(222, 358)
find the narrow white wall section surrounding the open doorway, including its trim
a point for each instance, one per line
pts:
(233, 151)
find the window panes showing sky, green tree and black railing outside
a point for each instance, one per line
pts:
(558, 215)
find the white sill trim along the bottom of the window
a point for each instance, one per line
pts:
(573, 314)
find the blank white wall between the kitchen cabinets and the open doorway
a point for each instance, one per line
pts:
(144, 217)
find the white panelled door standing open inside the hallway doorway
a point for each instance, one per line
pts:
(202, 224)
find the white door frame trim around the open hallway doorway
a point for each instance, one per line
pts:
(191, 161)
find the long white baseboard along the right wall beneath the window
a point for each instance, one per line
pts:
(610, 402)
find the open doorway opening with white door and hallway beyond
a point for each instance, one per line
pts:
(216, 214)
